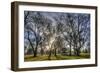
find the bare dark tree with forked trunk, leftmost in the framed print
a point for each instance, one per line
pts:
(31, 28)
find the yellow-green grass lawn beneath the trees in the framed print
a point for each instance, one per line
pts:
(58, 57)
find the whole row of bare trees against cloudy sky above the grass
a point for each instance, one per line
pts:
(52, 33)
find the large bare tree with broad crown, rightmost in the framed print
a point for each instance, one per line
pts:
(78, 31)
